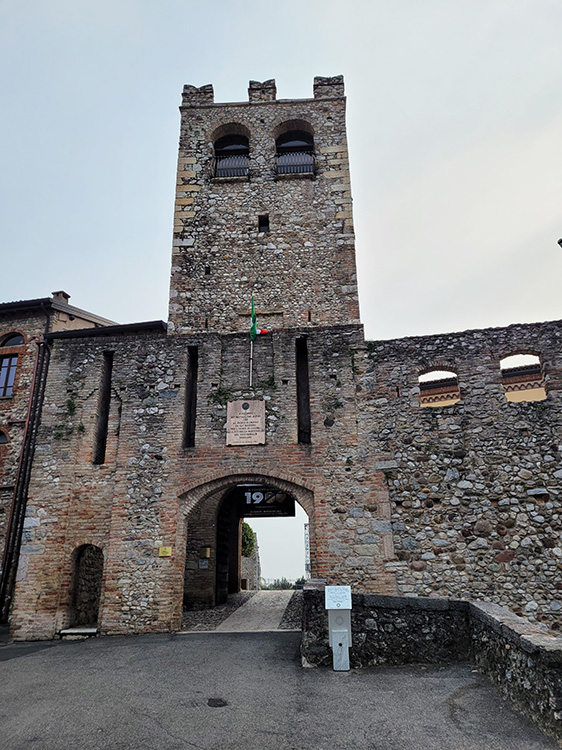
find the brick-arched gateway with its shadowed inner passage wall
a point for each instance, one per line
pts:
(213, 514)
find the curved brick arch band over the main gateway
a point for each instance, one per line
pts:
(191, 497)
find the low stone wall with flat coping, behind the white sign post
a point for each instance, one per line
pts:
(518, 656)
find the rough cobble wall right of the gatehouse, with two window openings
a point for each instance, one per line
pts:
(476, 487)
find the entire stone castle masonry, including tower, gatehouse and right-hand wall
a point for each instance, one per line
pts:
(461, 500)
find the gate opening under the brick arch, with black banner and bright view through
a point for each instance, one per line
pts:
(214, 568)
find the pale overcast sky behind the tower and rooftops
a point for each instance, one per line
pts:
(455, 132)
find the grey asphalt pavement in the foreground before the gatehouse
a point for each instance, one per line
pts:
(240, 691)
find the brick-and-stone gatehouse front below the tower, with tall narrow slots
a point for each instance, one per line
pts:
(151, 491)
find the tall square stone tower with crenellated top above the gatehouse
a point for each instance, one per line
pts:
(263, 208)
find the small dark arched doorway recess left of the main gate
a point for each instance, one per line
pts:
(87, 575)
